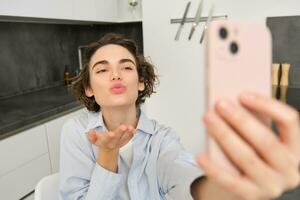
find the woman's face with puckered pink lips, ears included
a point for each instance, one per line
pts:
(114, 79)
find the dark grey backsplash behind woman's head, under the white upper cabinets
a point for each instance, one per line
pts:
(33, 55)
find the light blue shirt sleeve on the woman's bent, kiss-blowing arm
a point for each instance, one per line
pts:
(81, 178)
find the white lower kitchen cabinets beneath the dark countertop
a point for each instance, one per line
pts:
(29, 156)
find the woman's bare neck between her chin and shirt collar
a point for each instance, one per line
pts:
(114, 117)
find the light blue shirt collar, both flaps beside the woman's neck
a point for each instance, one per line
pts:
(95, 121)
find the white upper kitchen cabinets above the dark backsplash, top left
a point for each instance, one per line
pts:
(82, 10)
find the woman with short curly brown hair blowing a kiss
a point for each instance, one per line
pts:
(115, 152)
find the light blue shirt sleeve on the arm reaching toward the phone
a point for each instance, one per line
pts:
(177, 168)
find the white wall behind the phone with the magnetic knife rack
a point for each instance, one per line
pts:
(179, 101)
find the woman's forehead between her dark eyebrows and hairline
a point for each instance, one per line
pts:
(111, 52)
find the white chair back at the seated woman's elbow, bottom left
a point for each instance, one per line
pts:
(47, 188)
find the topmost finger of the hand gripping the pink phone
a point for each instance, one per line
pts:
(285, 117)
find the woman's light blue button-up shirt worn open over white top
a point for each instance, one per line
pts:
(160, 165)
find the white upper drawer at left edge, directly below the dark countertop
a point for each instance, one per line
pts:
(22, 148)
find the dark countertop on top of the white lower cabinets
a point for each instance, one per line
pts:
(22, 112)
